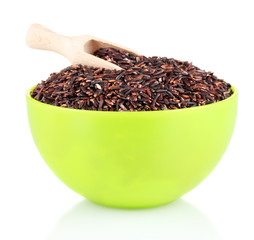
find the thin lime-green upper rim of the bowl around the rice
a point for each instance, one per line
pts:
(30, 99)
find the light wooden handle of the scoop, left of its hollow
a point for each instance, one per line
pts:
(39, 37)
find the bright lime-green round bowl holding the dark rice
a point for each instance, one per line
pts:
(132, 159)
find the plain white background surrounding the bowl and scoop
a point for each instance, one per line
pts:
(215, 35)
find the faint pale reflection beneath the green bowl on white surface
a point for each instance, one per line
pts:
(178, 220)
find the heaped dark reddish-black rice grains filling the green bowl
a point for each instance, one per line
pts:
(144, 84)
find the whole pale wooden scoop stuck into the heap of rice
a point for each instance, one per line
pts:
(78, 49)
